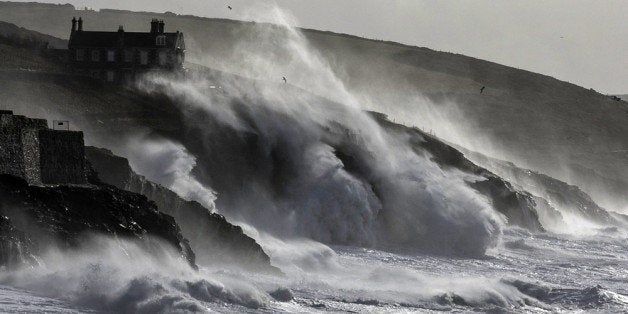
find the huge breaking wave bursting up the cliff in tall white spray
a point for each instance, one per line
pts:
(295, 164)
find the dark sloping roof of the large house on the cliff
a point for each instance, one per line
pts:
(124, 39)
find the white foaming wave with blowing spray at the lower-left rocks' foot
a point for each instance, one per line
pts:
(120, 276)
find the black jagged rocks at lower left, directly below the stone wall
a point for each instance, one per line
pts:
(36, 217)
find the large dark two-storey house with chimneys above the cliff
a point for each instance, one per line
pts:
(119, 56)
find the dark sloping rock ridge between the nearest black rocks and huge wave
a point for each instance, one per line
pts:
(214, 240)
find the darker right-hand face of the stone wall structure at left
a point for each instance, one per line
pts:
(62, 157)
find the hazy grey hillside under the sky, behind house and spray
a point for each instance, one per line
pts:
(543, 123)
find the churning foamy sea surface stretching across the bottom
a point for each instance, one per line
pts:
(525, 273)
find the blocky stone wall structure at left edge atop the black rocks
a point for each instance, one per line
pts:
(39, 155)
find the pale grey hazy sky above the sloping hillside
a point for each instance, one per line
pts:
(583, 42)
